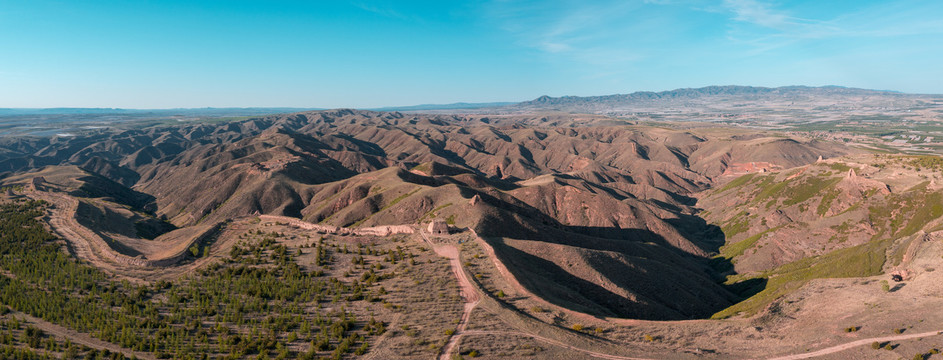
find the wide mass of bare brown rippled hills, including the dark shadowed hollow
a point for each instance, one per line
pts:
(615, 202)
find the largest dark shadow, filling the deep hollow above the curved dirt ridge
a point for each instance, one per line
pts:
(645, 275)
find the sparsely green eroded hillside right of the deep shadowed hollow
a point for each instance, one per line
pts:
(848, 217)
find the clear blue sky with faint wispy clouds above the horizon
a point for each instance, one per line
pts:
(162, 54)
